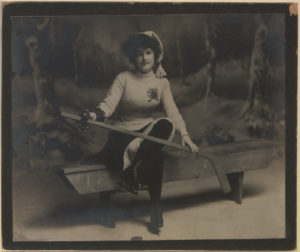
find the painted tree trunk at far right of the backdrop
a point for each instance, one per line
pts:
(260, 117)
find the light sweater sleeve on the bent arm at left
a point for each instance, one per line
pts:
(111, 101)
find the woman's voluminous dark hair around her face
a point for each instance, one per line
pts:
(139, 40)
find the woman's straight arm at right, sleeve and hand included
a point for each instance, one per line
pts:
(172, 112)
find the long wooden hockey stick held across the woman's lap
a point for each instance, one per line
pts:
(219, 172)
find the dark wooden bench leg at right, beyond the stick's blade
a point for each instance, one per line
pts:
(236, 183)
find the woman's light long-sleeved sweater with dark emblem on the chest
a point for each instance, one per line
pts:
(137, 96)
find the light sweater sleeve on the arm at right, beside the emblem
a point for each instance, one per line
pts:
(171, 109)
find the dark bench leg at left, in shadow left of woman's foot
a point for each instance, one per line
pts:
(107, 215)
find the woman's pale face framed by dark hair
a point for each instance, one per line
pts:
(144, 60)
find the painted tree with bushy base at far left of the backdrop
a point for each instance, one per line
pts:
(52, 138)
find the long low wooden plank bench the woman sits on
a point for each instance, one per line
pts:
(233, 158)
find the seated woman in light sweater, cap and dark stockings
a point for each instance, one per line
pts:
(134, 96)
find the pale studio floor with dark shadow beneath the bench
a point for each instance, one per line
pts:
(44, 209)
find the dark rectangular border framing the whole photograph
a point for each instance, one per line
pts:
(79, 8)
